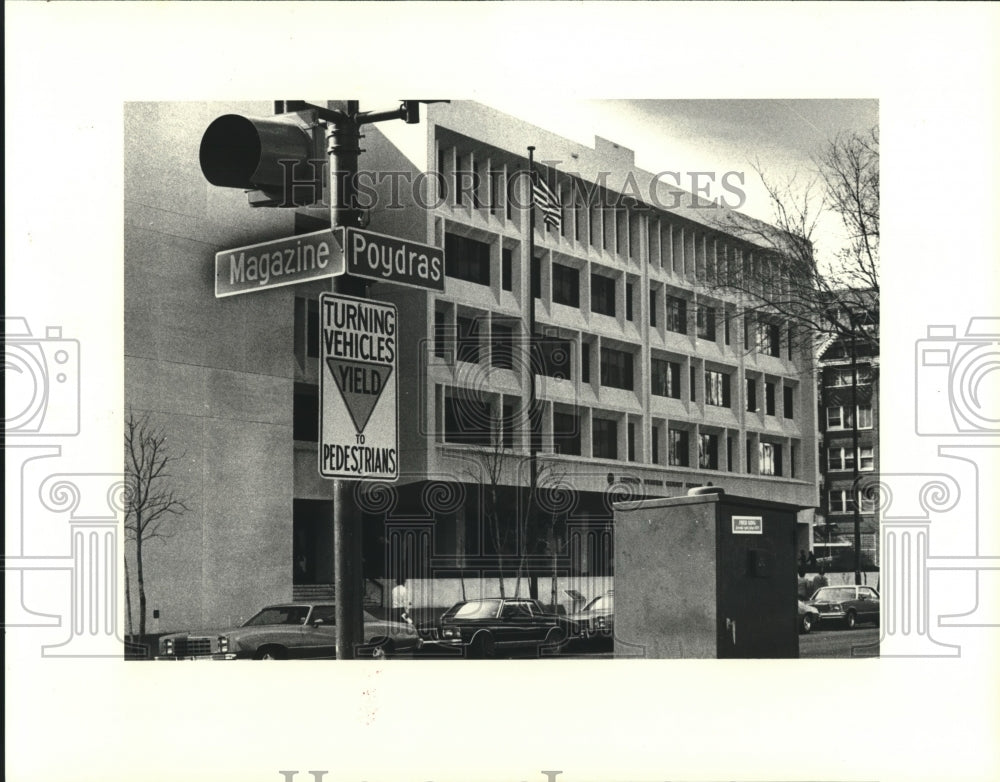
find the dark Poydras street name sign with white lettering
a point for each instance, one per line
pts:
(389, 259)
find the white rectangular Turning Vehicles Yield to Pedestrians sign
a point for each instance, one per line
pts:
(358, 389)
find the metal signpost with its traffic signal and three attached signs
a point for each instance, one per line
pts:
(274, 160)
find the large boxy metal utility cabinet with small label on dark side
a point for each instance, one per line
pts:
(705, 575)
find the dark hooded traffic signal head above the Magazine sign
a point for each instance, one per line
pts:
(280, 160)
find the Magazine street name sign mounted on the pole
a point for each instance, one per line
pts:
(279, 262)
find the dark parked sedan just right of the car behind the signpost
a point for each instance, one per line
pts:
(494, 625)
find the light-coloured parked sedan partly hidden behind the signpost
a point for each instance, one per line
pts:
(293, 630)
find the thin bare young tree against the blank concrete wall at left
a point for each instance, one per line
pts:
(151, 503)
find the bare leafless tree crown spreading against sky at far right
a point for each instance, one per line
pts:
(777, 272)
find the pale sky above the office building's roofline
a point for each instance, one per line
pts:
(699, 135)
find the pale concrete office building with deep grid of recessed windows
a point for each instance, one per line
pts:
(649, 380)
